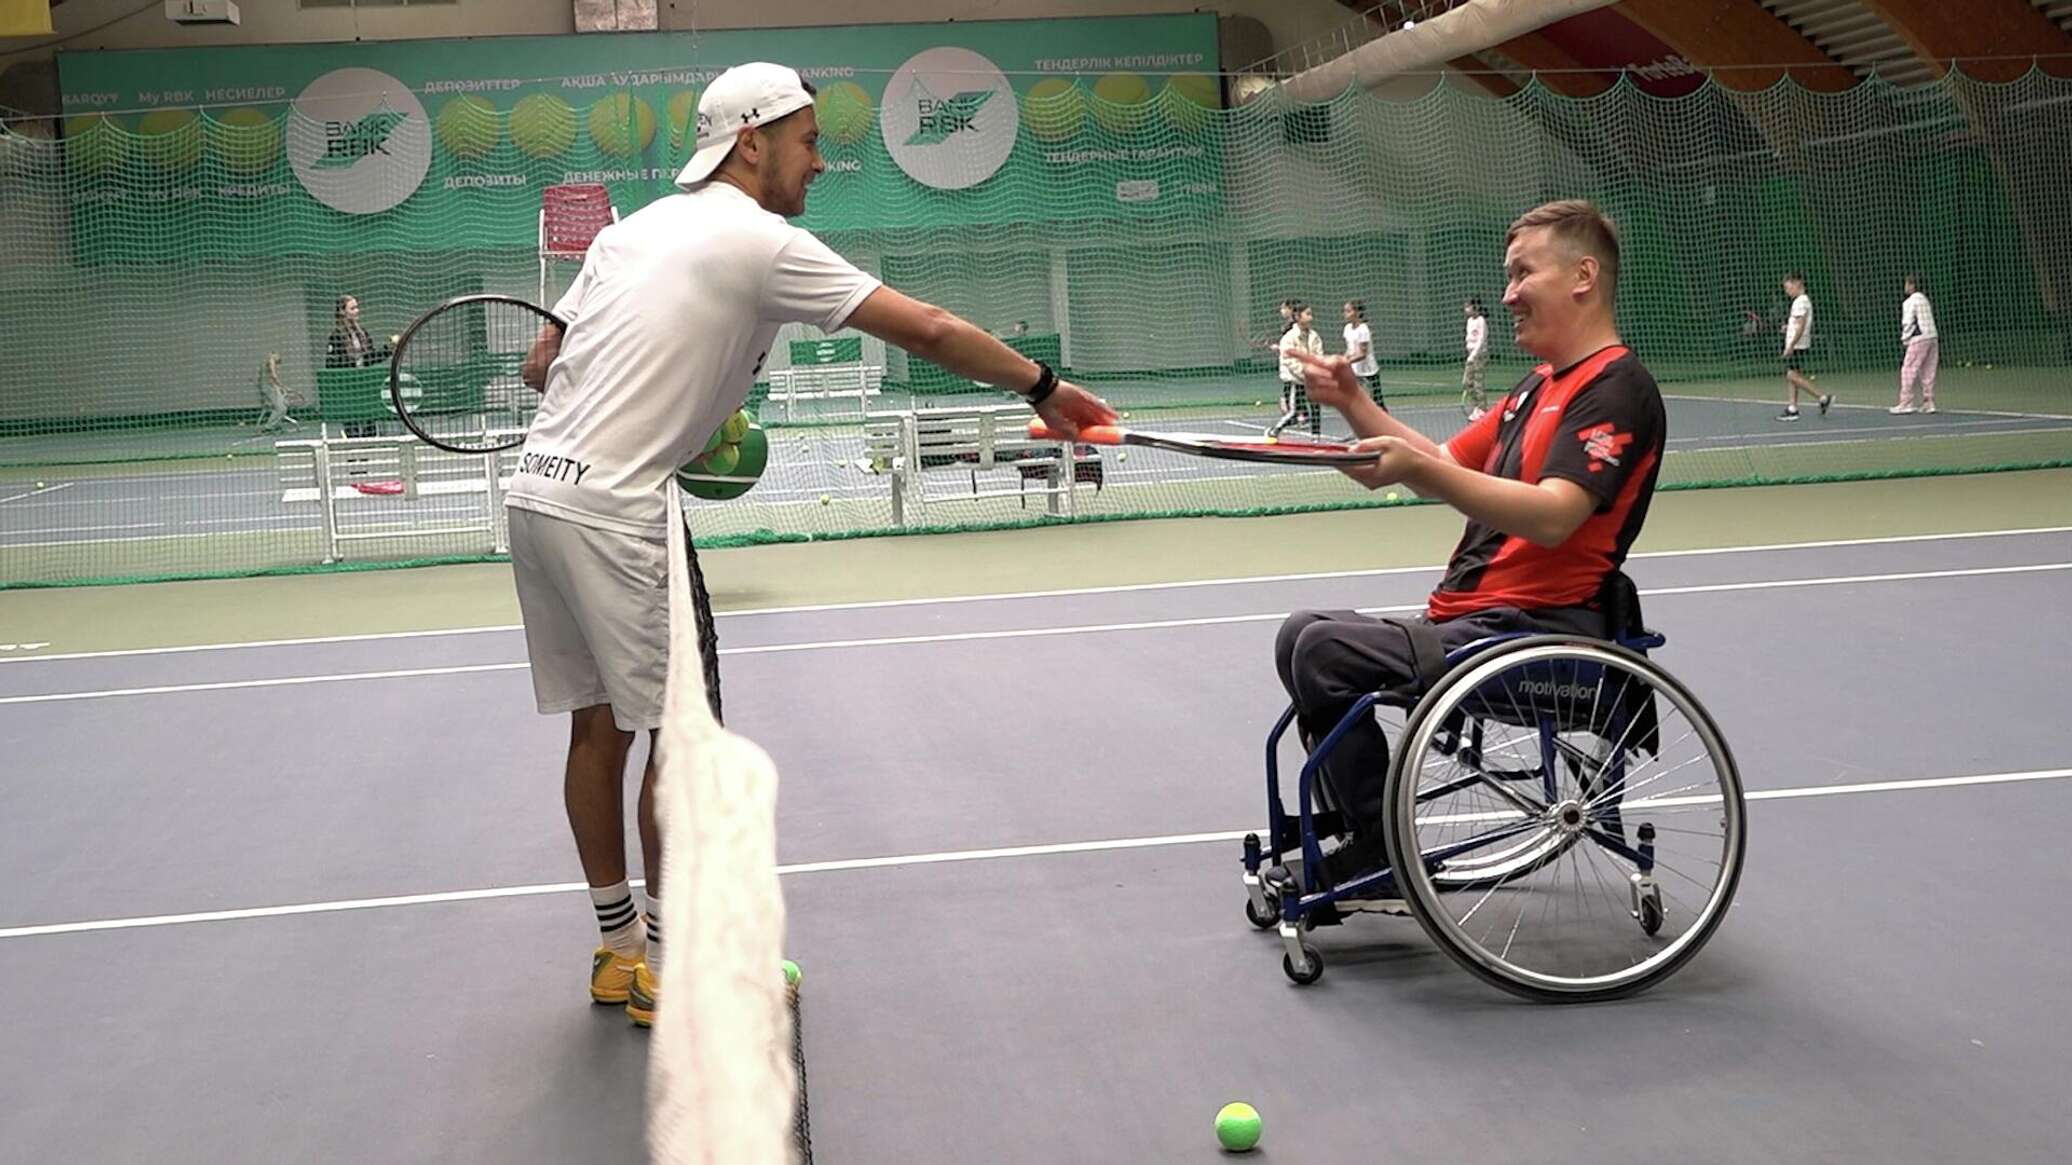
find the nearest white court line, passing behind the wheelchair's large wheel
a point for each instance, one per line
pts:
(896, 863)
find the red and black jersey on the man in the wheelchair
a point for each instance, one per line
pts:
(1599, 424)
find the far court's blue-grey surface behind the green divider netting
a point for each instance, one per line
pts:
(100, 505)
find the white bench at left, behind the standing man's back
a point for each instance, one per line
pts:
(326, 472)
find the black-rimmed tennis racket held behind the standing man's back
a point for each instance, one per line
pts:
(455, 376)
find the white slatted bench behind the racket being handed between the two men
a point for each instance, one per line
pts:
(973, 443)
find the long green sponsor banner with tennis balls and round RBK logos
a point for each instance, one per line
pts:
(447, 144)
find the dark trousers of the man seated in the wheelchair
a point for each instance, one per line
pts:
(1329, 660)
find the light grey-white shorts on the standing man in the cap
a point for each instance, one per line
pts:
(596, 610)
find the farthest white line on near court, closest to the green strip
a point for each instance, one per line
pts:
(1060, 594)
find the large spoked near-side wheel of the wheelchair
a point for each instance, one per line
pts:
(1590, 845)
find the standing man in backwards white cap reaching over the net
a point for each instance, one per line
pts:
(668, 324)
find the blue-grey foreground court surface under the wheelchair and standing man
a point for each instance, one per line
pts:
(1887, 988)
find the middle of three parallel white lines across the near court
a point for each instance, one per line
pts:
(1006, 633)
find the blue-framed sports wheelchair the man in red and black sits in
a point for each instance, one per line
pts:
(1561, 816)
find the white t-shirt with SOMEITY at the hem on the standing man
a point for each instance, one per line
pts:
(668, 326)
